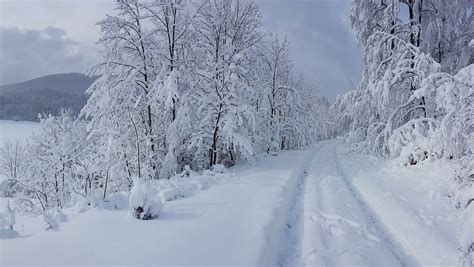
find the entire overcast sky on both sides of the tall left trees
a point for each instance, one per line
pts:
(39, 37)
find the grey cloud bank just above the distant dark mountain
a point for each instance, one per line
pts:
(27, 53)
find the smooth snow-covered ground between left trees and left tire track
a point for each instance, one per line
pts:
(228, 224)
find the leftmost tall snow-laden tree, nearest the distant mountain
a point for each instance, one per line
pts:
(123, 96)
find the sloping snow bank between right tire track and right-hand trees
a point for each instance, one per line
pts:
(414, 204)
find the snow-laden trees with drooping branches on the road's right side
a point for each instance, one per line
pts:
(415, 99)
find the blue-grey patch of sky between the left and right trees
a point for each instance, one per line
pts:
(323, 46)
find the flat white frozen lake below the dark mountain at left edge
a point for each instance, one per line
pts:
(17, 130)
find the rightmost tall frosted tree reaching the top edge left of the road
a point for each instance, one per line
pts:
(227, 32)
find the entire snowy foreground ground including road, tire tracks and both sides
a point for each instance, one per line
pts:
(323, 206)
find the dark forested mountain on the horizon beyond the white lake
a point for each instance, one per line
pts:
(48, 94)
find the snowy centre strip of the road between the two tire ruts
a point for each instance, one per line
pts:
(338, 226)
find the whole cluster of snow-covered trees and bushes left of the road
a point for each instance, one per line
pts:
(181, 85)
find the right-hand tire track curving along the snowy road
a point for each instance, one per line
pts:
(372, 218)
